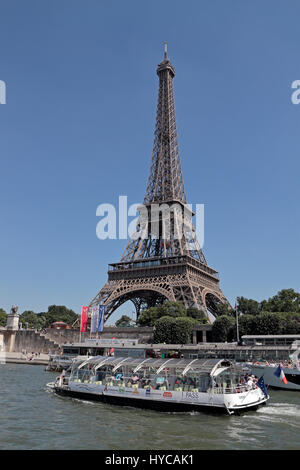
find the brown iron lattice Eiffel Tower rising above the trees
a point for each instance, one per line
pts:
(163, 266)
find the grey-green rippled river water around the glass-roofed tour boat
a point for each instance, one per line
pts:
(33, 418)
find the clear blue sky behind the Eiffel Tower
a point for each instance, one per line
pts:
(77, 131)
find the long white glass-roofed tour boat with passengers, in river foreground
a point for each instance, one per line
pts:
(162, 384)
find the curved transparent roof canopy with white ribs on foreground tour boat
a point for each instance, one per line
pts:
(206, 366)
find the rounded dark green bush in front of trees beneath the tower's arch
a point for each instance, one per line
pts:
(172, 330)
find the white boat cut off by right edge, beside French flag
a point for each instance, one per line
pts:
(291, 371)
